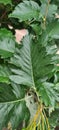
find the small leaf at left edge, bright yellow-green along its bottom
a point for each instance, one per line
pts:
(4, 74)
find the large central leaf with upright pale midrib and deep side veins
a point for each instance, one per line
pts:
(31, 62)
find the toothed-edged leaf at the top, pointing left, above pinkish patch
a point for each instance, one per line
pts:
(26, 11)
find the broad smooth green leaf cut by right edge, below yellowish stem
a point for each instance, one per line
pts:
(52, 32)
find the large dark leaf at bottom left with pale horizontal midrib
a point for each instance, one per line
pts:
(13, 108)
